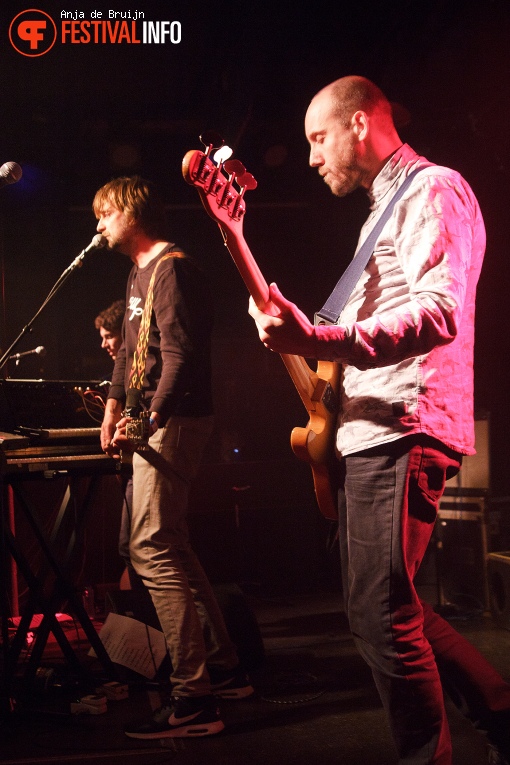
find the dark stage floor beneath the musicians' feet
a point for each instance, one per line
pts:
(314, 702)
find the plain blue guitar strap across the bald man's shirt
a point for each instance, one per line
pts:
(335, 304)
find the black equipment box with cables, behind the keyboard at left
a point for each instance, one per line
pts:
(46, 404)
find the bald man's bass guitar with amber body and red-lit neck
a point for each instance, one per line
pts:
(318, 390)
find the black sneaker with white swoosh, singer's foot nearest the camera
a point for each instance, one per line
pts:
(186, 717)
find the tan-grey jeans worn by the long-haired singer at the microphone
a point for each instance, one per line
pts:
(161, 554)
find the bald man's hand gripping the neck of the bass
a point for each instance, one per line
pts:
(289, 331)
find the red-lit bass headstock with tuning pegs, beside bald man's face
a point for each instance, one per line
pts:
(220, 181)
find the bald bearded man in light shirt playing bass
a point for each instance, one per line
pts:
(404, 341)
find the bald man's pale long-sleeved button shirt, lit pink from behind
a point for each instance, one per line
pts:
(405, 338)
